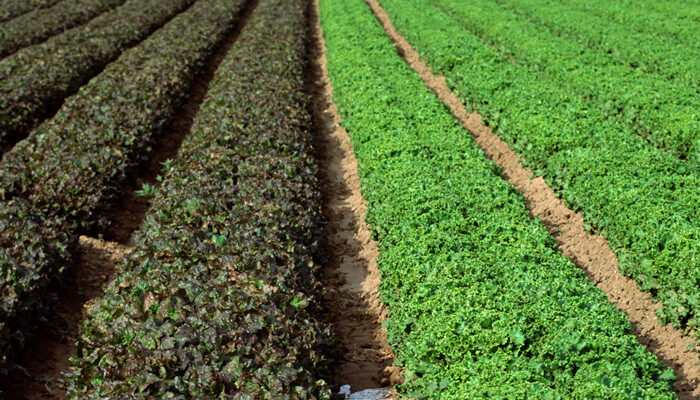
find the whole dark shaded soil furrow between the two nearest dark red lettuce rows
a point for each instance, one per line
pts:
(43, 360)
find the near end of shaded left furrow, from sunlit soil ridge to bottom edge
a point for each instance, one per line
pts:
(46, 357)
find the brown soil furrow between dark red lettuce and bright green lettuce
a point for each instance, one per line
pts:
(351, 276)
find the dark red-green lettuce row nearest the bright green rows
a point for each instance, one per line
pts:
(215, 301)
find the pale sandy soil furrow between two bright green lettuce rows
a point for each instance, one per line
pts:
(587, 251)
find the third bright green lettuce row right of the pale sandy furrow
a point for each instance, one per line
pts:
(648, 52)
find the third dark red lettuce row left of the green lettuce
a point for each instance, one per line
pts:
(37, 79)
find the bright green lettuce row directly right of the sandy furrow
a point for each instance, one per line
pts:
(644, 201)
